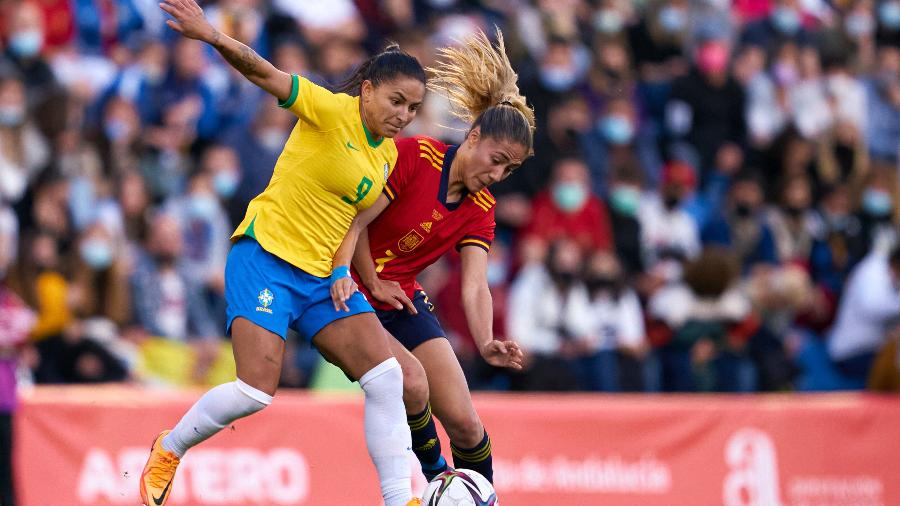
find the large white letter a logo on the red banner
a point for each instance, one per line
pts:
(753, 476)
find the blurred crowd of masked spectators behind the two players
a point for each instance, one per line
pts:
(713, 204)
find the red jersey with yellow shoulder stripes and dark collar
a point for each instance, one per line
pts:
(419, 226)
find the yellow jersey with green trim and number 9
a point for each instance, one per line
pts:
(330, 169)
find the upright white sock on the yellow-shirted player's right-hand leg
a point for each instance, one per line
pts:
(387, 433)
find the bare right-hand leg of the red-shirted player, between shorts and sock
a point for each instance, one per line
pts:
(449, 393)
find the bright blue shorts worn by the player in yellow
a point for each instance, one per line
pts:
(277, 295)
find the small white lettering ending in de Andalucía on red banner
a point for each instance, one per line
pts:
(646, 475)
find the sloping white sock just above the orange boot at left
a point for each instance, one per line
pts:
(216, 409)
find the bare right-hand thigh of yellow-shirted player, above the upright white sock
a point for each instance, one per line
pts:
(356, 343)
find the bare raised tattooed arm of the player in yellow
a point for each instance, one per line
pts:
(188, 20)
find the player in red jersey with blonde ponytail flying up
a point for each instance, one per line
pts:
(438, 199)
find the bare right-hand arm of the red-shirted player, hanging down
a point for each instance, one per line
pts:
(479, 309)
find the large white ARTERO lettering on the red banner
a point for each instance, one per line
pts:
(206, 476)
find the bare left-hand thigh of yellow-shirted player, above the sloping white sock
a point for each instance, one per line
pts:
(258, 355)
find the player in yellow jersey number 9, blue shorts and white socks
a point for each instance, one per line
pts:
(279, 271)
